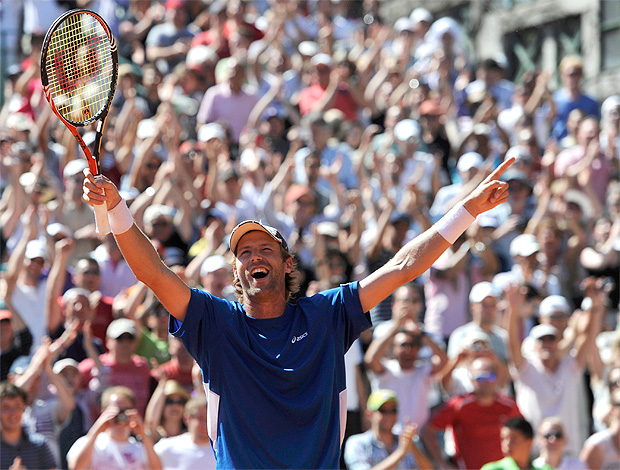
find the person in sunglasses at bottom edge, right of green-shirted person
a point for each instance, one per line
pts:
(551, 441)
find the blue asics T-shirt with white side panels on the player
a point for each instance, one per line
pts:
(275, 387)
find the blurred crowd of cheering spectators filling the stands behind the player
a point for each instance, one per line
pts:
(350, 135)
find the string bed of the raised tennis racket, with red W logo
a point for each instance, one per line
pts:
(80, 67)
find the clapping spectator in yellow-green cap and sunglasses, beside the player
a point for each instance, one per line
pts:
(379, 447)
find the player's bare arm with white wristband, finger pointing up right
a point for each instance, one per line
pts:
(420, 253)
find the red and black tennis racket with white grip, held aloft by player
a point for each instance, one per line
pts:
(79, 69)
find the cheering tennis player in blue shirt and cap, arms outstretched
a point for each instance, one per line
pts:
(274, 371)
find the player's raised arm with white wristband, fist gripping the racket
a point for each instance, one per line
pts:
(137, 249)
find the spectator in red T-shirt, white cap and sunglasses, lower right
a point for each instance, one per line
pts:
(475, 418)
